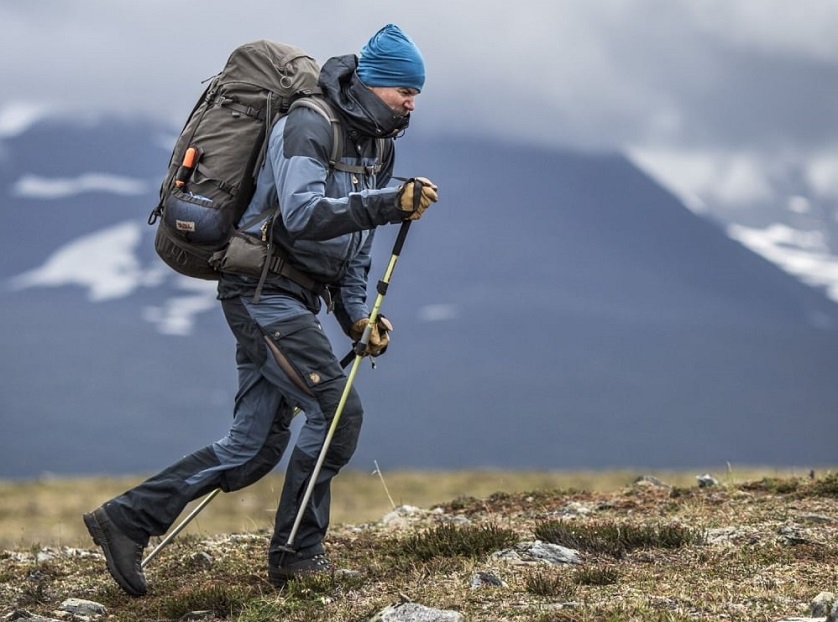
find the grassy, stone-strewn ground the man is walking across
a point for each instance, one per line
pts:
(661, 553)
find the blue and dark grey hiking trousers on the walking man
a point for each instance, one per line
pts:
(284, 360)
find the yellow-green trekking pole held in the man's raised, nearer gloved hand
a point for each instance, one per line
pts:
(360, 349)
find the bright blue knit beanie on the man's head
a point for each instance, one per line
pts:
(390, 58)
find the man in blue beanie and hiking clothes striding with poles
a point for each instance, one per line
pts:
(324, 234)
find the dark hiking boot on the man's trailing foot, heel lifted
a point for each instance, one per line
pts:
(123, 555)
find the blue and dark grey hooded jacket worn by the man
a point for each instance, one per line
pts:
(326, 217)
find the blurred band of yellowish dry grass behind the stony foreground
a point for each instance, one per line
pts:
(48, 511)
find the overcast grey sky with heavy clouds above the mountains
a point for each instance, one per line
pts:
(671, 79)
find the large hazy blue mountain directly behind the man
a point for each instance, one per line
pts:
(554, 310)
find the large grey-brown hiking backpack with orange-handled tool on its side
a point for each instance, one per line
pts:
(212, 171)
